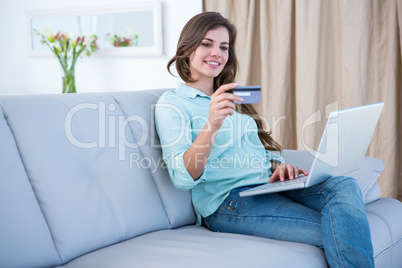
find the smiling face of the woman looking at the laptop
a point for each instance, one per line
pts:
(209, 59)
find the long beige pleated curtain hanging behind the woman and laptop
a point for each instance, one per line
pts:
(315, 56)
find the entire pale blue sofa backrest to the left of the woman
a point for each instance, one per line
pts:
(73, 176)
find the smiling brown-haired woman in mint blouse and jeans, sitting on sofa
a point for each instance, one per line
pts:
(218, 148)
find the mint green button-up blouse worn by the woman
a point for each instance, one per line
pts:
(237, 158)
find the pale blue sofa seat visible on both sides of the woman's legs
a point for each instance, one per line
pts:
(193, 246)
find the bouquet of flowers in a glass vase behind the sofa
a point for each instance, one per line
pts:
(68, 47)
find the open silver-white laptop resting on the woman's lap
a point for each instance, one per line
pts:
(341, 150)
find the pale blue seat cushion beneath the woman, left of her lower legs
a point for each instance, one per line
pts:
(193, 246)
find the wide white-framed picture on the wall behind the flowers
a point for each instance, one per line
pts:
(141, 18)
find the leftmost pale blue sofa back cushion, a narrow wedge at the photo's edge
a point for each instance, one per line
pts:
(20, 213)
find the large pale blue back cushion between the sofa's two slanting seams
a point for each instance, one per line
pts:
(89, 195)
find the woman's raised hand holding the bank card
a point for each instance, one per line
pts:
(222, 105)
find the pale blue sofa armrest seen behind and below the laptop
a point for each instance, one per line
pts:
(366, 176)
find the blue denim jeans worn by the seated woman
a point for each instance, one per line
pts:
(330, 215)
